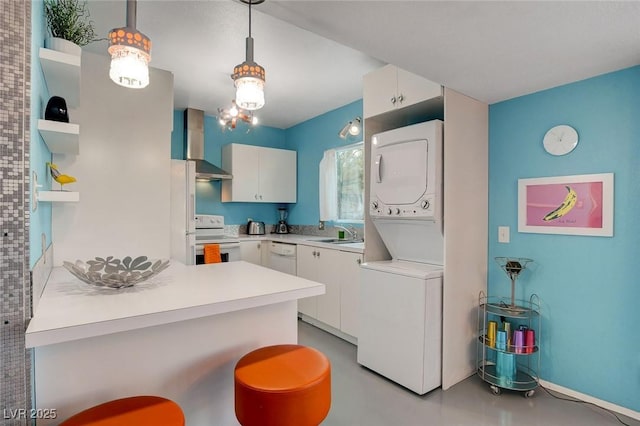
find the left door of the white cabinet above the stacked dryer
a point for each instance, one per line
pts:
(379, 91)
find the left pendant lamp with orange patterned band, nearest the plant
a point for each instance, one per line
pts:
(130, 52)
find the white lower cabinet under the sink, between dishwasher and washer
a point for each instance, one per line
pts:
(339, 272)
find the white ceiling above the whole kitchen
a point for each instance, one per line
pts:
(313, 50)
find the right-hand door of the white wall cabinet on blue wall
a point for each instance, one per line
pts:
(278, 175)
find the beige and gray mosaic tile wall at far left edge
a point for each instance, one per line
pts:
(15, 42)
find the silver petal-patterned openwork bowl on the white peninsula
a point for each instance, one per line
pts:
(116, 273)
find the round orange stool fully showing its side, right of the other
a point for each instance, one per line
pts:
(282, 385)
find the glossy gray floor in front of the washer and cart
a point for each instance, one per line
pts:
(363, 398)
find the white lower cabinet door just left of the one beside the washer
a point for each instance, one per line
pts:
(329, 274)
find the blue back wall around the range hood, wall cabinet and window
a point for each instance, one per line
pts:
(310, 139)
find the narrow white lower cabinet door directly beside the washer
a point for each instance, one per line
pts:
(349, 291)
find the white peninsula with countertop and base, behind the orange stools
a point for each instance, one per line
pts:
(178, 335)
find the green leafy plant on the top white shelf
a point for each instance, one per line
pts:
(69, 19)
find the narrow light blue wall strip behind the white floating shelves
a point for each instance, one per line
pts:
(40, 220)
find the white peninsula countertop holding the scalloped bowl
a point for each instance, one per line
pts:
(70, 309)
